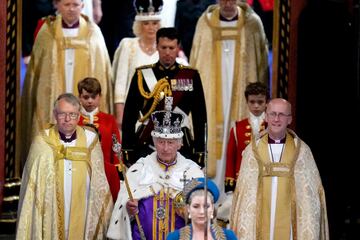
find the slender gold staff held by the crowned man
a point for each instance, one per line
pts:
(117, 149)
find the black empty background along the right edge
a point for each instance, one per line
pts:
(328, 105)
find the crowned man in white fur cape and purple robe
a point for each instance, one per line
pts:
(154, 182)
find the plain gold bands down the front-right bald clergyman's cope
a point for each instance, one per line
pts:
(285, 199)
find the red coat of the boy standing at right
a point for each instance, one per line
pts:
(239, 138)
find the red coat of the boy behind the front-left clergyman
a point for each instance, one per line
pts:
(106, 126)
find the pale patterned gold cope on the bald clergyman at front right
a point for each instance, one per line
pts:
(307, 199)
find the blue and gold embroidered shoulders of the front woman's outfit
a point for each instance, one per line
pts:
(217, 233)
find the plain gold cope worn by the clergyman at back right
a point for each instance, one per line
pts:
(250, 65)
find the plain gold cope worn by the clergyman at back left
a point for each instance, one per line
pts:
(44, 80)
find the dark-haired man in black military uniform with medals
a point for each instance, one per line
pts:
(148, 89)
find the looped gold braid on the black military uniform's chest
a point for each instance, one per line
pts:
(161, 86)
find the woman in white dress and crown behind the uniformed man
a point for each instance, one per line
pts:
(134, 52)
